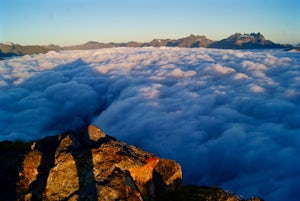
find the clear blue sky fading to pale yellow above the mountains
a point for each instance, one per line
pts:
(67, 22)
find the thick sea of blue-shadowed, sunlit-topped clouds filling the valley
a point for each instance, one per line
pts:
(230, 118)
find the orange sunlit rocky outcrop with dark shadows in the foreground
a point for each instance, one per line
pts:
(92, 166)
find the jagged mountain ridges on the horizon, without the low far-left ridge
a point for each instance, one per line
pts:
(235, 41)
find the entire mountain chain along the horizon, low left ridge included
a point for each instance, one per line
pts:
(235, 41)
